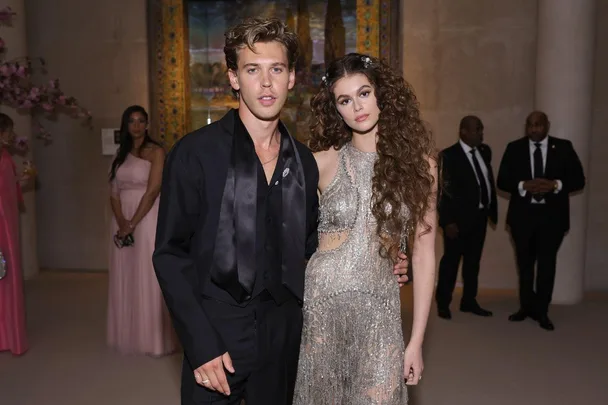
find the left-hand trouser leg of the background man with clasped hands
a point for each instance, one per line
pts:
(525, 251)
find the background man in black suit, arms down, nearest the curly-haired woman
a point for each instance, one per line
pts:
(468, 200)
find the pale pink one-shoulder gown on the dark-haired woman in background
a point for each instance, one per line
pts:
(138, 321)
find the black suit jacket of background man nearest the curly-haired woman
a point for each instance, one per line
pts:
(460, 191)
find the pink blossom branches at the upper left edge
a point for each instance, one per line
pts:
(18, 90)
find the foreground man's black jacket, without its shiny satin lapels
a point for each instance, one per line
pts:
(190, 200)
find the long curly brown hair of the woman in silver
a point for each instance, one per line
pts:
(402, 179)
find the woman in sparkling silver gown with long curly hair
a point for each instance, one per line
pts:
(377, 169)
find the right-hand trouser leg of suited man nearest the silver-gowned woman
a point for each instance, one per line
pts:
(473, 248)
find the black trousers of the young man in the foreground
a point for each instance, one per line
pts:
(263, 340)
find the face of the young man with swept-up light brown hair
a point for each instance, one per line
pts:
(263, 79)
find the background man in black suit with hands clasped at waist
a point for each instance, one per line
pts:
(540, 172)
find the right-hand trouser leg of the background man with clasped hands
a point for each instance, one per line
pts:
(548, 241)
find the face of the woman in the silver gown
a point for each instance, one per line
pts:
(356, 102)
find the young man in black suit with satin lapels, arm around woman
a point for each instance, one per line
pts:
(237, 220)
